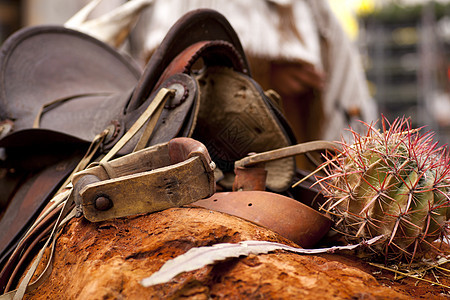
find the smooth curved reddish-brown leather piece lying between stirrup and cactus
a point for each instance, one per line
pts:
(285, 216)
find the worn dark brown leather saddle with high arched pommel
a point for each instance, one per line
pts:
(60, 88)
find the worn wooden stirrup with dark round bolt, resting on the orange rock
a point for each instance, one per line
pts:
(156, 178)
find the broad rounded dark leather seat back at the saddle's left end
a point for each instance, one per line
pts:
(45, 63)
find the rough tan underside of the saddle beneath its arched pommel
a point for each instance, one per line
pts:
(236, 118)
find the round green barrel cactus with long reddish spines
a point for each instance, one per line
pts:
(392, 182)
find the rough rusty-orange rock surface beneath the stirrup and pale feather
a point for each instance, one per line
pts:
(107, 260)
